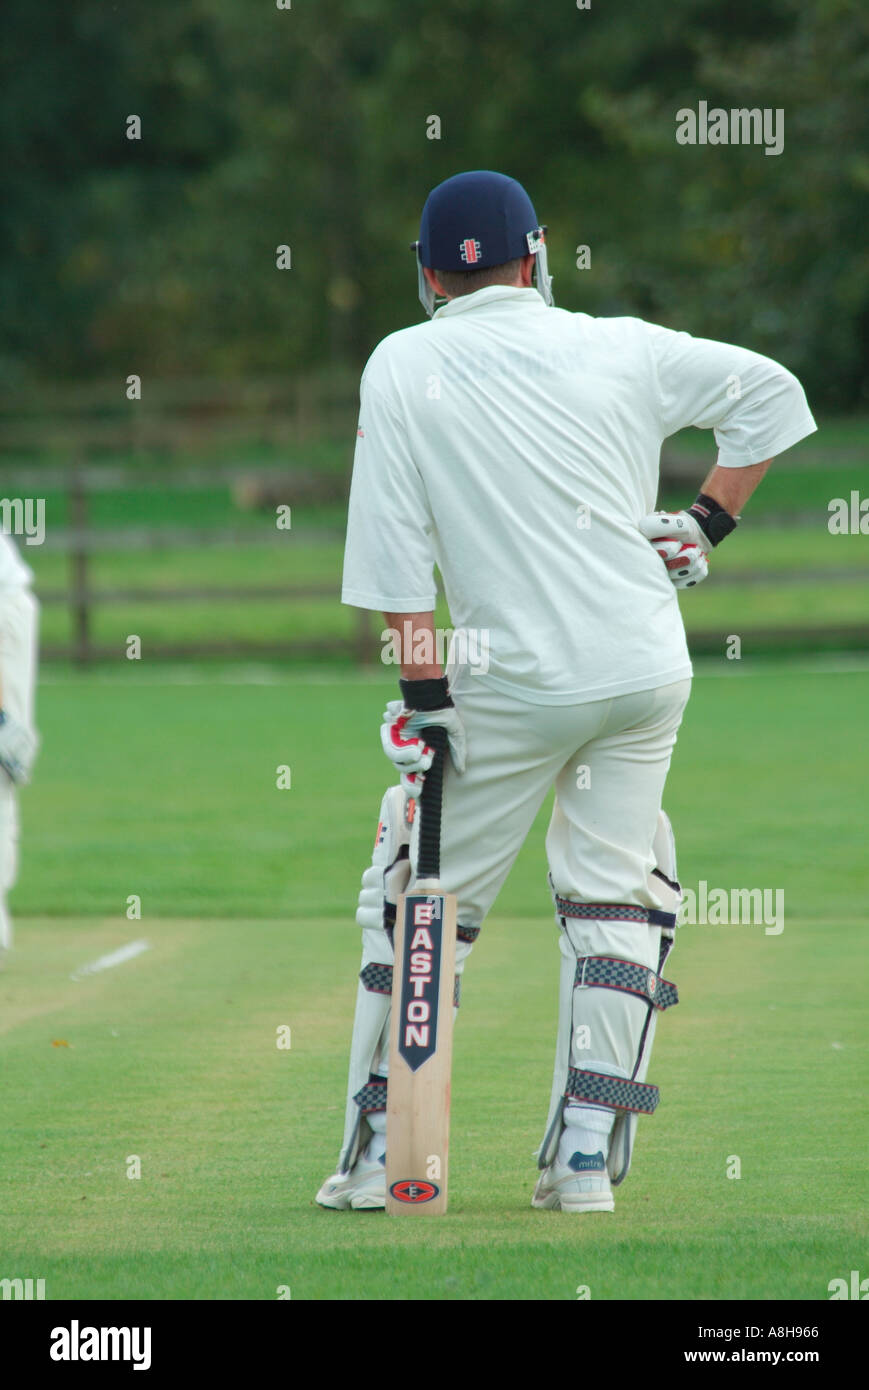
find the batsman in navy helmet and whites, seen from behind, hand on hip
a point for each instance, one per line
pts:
(517, 447)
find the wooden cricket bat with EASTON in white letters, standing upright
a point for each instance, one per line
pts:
(422, 1027)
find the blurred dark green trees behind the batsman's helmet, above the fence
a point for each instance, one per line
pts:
(308, 127)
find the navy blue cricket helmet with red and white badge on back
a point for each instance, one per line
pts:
(478, 220)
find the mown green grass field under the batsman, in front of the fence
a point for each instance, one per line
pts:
(248, 893)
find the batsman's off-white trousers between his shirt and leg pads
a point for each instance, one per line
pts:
(608, 761)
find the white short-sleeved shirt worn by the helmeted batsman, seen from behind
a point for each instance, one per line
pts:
(518, 447)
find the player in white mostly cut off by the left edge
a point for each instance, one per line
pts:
(19, 740)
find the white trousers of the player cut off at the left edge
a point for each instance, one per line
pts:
(19, 643)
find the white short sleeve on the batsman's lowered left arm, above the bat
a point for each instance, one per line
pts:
(389, 562)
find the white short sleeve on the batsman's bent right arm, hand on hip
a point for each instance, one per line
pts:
(754, 405)
